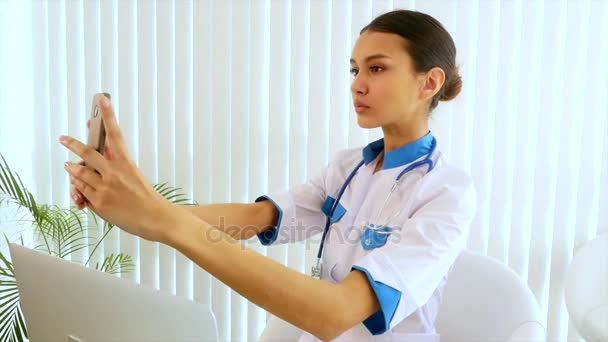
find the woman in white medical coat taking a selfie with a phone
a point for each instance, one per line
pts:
(398, 214)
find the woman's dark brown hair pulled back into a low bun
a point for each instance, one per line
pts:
(428, 44)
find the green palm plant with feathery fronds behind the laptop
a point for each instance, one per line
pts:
(59, 232)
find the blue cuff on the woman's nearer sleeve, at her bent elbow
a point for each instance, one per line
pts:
(388, 298)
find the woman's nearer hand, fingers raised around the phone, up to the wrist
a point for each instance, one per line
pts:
(118, 192)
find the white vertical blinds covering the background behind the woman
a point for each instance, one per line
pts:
(231, 99)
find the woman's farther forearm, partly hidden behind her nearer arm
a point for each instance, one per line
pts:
(240, 221)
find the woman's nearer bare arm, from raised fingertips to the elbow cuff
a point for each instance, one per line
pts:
(120, 194)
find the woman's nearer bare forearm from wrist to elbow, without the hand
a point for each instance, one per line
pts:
(324, 309)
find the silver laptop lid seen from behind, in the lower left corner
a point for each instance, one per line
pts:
(66, 302)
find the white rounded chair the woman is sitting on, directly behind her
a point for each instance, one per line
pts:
(483, 300)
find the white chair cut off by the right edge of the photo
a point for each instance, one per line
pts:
(586, 289)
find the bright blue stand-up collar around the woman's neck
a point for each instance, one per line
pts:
(401, 156)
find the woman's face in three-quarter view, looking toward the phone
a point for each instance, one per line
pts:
(385, 88)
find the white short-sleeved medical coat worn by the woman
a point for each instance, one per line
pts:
(408, 272)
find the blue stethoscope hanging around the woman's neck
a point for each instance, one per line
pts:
(383, 229)
